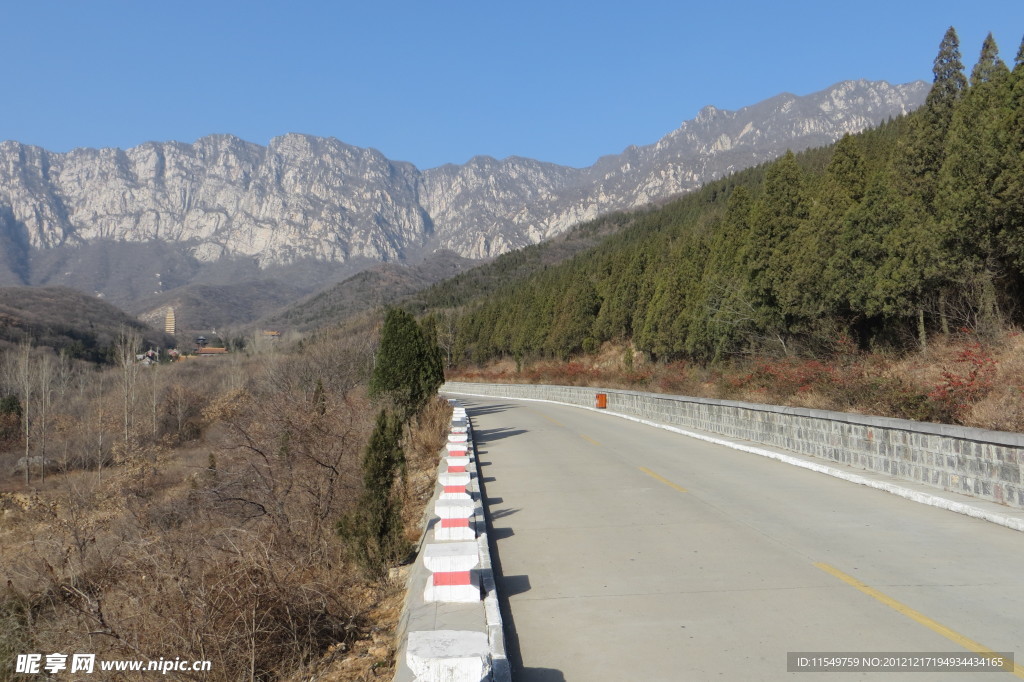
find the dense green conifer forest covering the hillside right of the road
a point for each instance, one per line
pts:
(886, 239)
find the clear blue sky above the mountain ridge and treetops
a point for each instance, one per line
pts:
(443, 81)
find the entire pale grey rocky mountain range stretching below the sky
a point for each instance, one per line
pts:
(132, 224)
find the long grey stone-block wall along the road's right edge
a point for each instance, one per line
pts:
(984, 464)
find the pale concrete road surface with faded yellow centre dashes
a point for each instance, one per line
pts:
(630, 553)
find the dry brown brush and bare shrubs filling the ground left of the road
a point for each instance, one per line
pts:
(190, 510)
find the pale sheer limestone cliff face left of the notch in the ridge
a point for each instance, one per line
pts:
(300, 197)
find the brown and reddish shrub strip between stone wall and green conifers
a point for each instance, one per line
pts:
(959, 379)
